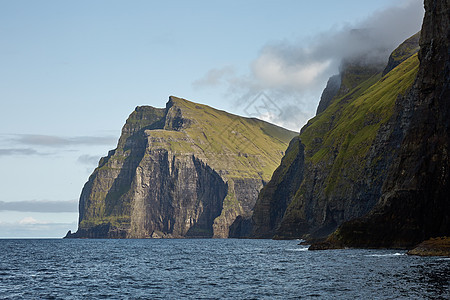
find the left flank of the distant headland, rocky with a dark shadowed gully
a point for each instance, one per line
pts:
(101, 197)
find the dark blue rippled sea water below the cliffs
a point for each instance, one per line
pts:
(212, 269)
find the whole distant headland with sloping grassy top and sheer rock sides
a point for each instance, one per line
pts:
(184, 171)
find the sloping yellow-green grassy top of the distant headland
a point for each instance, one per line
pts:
(233, 145)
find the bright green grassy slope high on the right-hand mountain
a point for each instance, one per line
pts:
(356, 117)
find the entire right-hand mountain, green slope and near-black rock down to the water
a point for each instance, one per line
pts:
(373, 164)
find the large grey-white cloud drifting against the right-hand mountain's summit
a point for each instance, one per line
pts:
(295, 72)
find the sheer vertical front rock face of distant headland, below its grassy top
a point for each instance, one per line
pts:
(176, 196)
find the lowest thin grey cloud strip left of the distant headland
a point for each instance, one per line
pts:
(40, 206)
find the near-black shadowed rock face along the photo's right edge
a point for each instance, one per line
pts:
(415, 205)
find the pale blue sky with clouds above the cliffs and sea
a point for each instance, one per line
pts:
(71, 72)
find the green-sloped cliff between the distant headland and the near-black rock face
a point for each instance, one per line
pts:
(345, 153)
